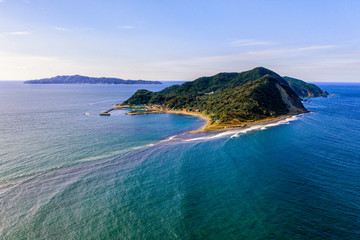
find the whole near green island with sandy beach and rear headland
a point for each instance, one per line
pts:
(228, 100)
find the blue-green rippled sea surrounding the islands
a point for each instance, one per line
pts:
(68, 173)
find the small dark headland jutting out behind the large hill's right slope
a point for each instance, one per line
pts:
(304, 89)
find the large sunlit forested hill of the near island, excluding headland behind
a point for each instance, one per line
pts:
(228, 98)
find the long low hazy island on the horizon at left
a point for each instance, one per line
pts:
(77, 79)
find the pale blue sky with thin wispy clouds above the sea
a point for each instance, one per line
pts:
(317, 41)
